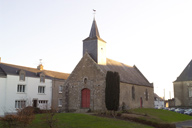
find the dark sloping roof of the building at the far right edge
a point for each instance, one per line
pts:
(186, 75)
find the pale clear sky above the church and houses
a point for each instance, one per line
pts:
(154, 35)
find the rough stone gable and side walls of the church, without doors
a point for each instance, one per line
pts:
(88, 70)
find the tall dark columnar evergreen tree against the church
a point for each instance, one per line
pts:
(112, 91)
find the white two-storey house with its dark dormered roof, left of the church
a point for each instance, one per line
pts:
(23, 86)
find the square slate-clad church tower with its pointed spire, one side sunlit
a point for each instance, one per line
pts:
(95, 46)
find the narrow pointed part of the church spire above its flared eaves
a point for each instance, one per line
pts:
(94, 30)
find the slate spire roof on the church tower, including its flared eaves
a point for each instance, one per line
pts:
(94, 33)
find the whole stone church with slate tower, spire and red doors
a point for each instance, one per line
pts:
(85, 87)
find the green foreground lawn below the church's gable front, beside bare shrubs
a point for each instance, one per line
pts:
(76, 120)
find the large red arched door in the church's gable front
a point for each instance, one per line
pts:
(85, 98)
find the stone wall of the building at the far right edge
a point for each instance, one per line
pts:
(181, 94)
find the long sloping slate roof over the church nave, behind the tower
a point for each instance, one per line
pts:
(128, 74)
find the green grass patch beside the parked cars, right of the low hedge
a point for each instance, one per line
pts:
(159, 115)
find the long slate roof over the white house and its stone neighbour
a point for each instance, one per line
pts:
(10, 69)
